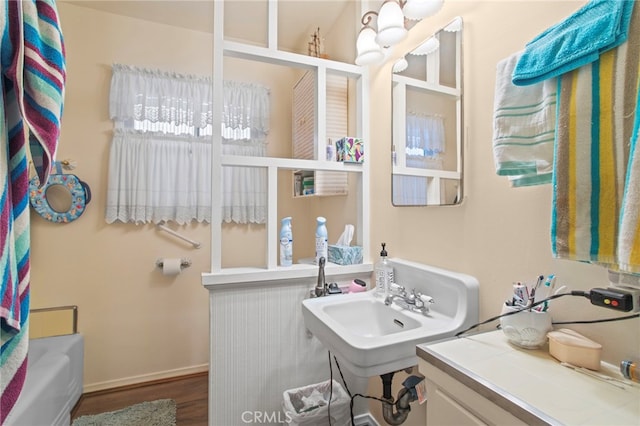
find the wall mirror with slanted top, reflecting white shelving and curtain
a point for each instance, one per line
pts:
(427, 142)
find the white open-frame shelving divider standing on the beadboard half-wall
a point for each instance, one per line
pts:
(270, 54)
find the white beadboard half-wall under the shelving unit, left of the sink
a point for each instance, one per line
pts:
(260, 348)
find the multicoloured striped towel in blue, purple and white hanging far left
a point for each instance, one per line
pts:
(33, 69)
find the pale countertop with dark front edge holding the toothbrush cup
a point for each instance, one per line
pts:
(532, 385)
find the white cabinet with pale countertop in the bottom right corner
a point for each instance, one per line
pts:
(483, 379)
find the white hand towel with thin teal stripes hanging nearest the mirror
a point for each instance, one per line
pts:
(523, 127)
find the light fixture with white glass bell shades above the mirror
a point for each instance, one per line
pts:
(392, 21)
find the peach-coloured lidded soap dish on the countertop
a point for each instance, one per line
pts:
(566, 345)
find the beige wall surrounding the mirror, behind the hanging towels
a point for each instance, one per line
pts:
(499, 234)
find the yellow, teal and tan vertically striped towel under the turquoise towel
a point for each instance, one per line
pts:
(594, 218)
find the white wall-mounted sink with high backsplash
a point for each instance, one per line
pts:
(371, 338)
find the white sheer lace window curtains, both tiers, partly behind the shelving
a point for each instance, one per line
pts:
(160, 160)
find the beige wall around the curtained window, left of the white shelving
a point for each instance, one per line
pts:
(138, 324)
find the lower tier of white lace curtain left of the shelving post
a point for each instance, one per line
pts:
(159, 177)
